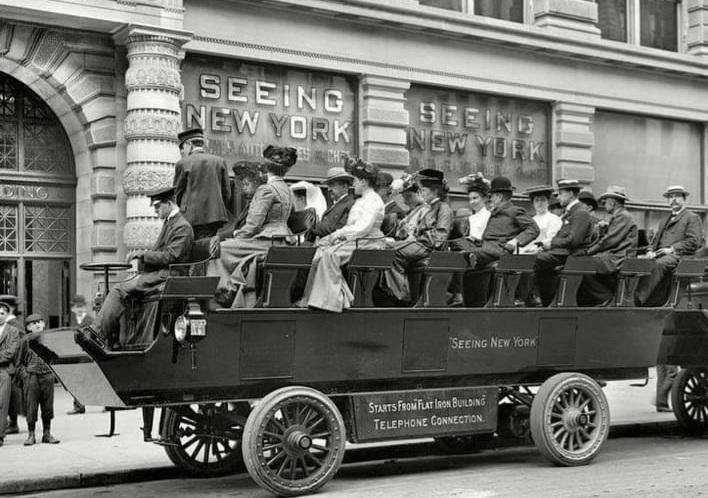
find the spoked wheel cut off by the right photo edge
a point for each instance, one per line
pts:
(689, 399)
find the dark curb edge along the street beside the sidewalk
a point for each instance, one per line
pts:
(88, 480)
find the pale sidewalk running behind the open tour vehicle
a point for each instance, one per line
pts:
(83, 460)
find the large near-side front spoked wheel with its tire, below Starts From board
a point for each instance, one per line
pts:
(293, 441)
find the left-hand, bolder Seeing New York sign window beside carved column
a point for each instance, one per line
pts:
(244, 107)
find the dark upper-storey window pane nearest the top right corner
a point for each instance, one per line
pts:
(658, 24)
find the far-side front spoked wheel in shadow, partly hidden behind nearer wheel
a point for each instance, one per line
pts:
(205, 440)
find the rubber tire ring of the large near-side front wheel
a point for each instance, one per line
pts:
(251, 440)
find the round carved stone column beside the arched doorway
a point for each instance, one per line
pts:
(152, 122)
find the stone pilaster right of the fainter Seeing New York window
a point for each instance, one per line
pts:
(573, 140)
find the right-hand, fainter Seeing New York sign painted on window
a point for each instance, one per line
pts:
(461, 133)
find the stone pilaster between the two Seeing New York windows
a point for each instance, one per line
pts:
(384, 120)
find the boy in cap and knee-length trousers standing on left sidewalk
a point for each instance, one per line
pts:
(39, 387)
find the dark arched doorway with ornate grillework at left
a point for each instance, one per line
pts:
(37, 196)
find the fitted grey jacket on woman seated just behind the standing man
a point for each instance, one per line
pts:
(269, 211)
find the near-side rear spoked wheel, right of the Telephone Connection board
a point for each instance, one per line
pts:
(570, 419)
